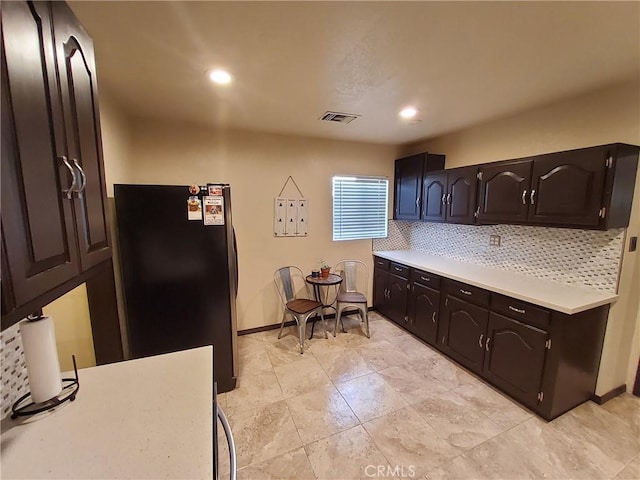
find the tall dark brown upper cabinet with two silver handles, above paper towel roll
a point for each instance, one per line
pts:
(54, 225)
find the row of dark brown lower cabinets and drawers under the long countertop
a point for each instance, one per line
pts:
(546, 360)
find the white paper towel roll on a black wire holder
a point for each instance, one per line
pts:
(41, 355)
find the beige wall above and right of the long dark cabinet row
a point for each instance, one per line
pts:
(610, 115)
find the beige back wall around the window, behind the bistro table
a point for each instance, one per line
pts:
(256, 166)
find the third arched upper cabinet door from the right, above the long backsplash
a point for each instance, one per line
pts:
(461, 195)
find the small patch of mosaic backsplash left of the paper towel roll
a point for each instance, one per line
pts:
(13, 378)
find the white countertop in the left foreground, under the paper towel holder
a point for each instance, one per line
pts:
(141, 419)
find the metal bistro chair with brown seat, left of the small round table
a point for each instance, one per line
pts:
(294, 293)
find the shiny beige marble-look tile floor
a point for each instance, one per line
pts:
(393, 407)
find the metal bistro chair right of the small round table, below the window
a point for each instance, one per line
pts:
(355, 275)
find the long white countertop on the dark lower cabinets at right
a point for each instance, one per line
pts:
(556, 296)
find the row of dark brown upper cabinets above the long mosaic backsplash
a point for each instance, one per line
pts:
(584, 188)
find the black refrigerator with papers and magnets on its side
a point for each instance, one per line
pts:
(179, 267)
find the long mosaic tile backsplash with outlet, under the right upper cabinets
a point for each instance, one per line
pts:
(589, 258)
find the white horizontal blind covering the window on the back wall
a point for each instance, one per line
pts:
(360, 207)
